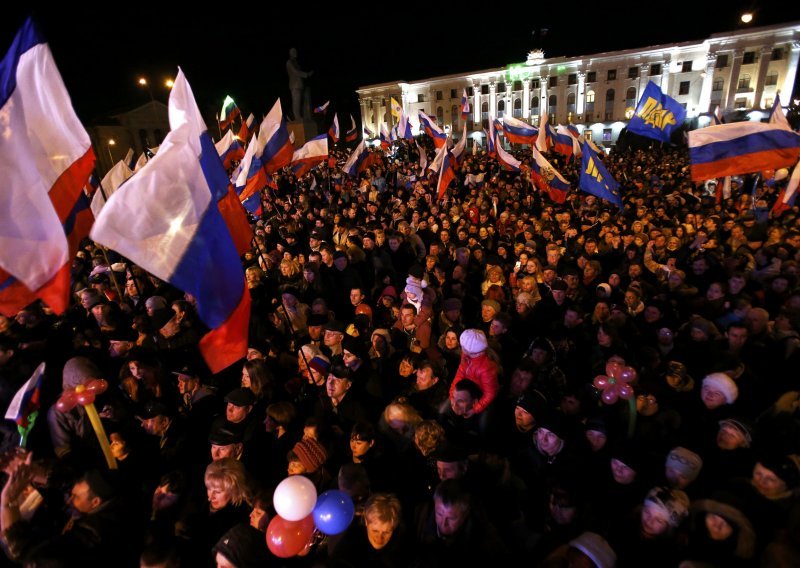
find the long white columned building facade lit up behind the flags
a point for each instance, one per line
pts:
(741, 70)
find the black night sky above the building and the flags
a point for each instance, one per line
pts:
(101, 50)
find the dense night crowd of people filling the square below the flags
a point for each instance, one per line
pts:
(436, 361)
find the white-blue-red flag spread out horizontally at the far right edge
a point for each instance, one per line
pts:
(741, 148)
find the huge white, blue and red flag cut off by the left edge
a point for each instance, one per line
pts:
(45, 159)
